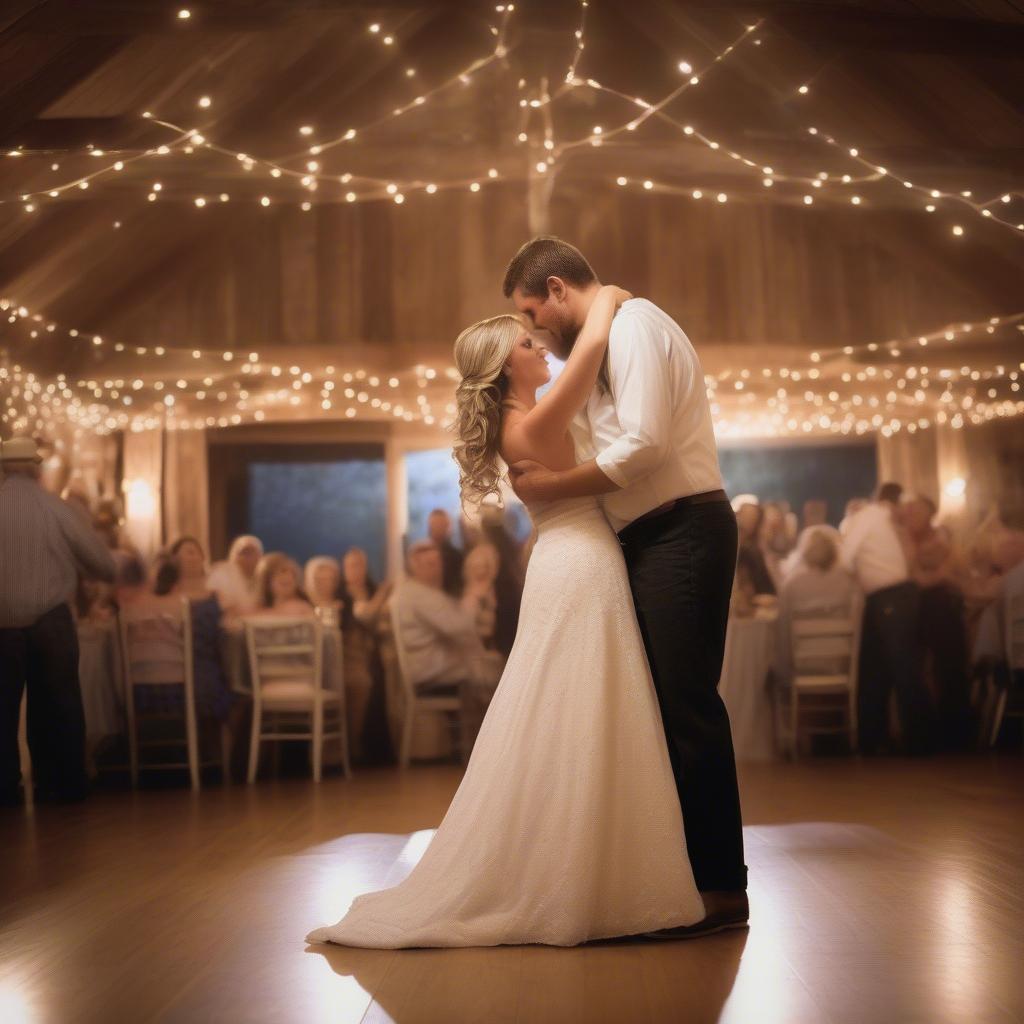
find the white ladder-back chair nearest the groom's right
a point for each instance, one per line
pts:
(825, 665)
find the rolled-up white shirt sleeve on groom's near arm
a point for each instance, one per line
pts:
(638, 368)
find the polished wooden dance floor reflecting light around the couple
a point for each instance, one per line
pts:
(881, 891)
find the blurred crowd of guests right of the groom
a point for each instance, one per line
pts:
(919, 590)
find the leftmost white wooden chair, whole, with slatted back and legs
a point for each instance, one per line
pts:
(157, 651)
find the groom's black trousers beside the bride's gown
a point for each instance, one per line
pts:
(681, 567)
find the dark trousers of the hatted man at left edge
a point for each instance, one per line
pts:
(45, 659)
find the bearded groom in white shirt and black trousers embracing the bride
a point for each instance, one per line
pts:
(649, 426)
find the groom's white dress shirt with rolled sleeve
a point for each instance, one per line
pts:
(653, 435)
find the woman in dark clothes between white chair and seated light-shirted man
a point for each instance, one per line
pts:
(363, 605)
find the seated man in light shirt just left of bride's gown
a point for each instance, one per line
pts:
(441, 641)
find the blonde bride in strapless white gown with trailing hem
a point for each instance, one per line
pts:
(567, 827)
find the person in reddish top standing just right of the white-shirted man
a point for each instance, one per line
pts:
(943, 621)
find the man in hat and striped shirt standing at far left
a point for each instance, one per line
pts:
(45, 545)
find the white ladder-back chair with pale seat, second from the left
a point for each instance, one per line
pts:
(286, 661)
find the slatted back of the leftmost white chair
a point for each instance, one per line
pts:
(157, 647)
